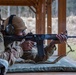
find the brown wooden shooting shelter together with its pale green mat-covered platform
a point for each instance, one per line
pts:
(57, 62)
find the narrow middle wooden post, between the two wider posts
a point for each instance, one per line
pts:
(49, 18)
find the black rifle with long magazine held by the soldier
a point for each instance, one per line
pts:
(38, 38)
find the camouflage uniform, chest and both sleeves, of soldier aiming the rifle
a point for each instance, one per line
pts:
(14, 51)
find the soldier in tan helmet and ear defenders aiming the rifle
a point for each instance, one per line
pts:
(24, 48)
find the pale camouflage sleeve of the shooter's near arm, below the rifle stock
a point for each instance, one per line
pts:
(12, 52)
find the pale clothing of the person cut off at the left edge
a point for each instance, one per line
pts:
(2, 59)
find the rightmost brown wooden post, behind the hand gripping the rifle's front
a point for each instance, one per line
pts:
(61, 24)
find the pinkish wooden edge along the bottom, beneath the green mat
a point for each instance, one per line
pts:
(44, 73)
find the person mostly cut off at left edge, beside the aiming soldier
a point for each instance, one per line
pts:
(3, 62)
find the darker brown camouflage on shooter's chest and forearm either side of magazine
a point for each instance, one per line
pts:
(31, 54)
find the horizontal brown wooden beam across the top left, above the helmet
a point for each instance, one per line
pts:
(16, 2)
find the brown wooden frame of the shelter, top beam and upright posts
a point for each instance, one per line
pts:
(41, 7)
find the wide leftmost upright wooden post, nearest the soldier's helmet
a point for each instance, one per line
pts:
(40, 17)
